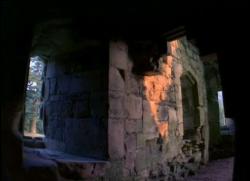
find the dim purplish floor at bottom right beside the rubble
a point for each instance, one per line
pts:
(217, 170)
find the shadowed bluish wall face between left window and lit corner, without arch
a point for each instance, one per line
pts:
(76, 101)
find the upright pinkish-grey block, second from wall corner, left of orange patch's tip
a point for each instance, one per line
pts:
(134, 107)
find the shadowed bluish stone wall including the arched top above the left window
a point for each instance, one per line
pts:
(74, 92)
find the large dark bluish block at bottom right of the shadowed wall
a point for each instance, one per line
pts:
(77, 134)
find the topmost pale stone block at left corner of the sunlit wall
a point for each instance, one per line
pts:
(118, 55)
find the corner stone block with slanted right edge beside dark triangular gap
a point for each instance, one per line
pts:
(116, 81)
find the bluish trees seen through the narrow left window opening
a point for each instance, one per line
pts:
(32, 123)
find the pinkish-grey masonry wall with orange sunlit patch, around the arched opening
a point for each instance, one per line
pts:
(146, 116)
